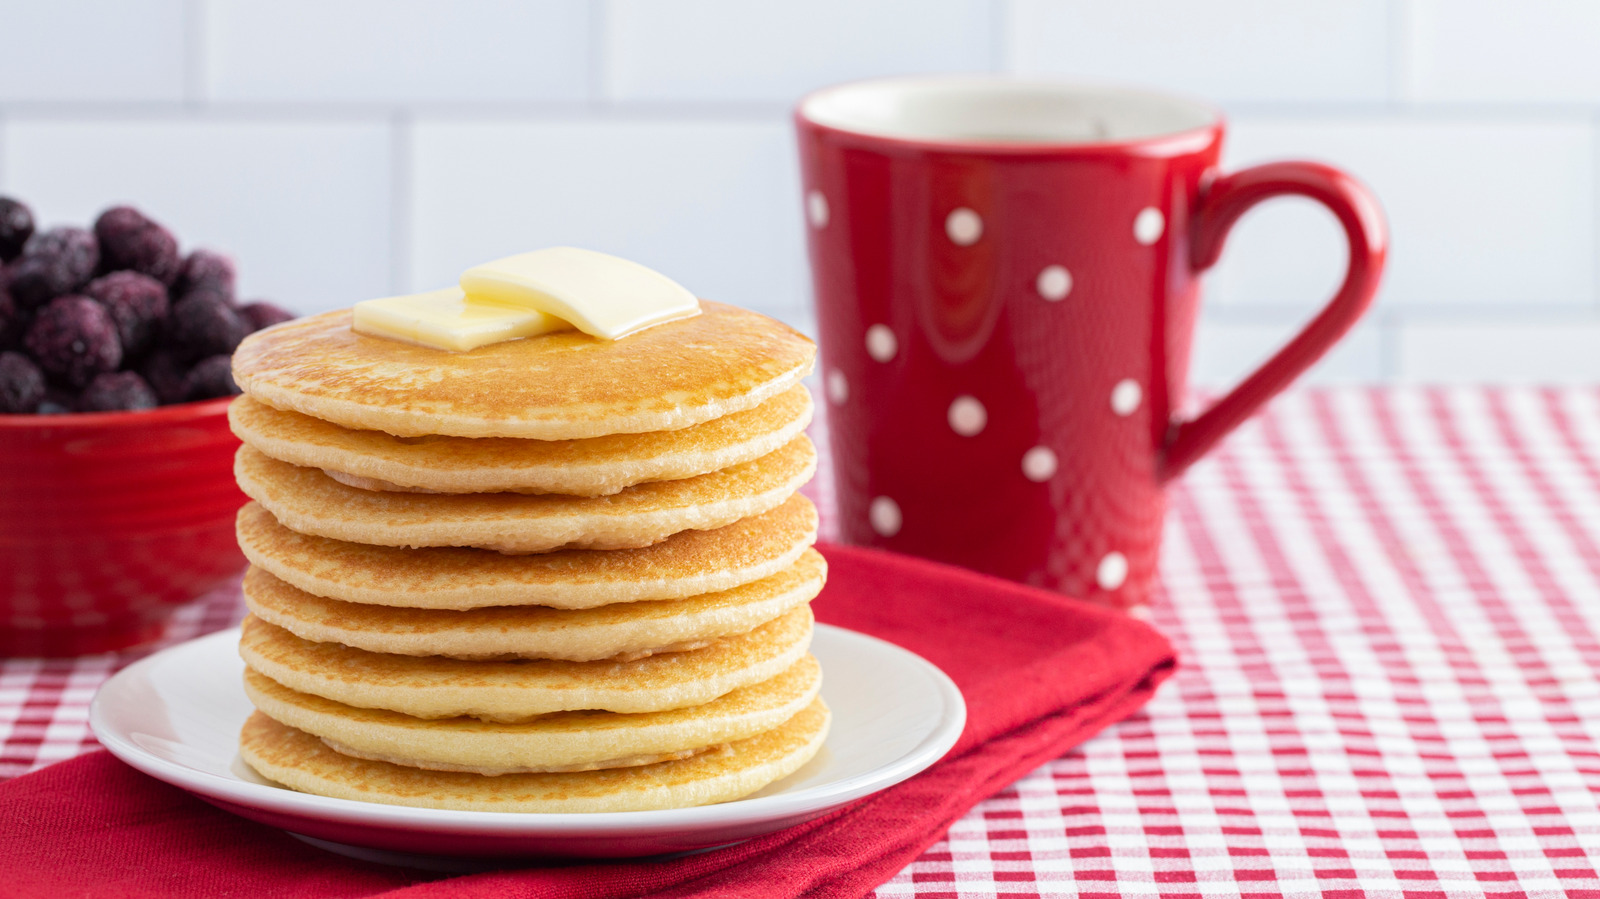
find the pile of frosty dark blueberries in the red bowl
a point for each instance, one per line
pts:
(114, 319)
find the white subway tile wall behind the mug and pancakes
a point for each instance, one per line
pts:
(351, 148)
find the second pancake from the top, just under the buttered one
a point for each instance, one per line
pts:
(596, 466)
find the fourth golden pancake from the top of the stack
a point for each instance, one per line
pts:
(687, 564)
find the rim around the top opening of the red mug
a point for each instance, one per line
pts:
(1164, 143)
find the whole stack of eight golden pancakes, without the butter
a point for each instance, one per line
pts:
(545, 575)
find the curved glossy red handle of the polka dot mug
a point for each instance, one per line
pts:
(1222, 204)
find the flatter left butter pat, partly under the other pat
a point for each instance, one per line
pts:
(446, 321)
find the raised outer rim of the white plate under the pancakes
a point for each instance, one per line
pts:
(778, 807)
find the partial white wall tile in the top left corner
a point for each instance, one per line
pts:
(92, 50)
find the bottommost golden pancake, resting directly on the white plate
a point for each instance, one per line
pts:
(305, 764)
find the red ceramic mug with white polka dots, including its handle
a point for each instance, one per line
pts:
(1007, 279)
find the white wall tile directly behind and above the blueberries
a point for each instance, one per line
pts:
(303, 207)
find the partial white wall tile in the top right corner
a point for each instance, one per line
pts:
(1503, 52)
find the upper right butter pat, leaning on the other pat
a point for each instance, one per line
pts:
(601, 295)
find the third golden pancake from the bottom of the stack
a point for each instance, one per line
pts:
(430, 687)
